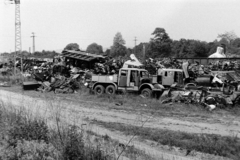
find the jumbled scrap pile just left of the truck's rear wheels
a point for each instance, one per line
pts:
(60, 79)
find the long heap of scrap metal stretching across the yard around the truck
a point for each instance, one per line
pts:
(60, 77)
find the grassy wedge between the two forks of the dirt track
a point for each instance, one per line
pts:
(225, 146)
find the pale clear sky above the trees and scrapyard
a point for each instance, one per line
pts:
(57, 23)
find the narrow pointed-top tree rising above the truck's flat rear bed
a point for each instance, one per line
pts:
(118, 48)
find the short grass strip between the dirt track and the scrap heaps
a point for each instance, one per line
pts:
(134, 102)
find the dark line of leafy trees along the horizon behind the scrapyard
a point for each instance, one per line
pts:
(161, 45)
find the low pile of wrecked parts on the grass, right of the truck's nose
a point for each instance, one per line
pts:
(226, 97)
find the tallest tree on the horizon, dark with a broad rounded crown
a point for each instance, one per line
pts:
(160, 45)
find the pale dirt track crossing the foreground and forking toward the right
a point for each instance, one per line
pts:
(78, 113)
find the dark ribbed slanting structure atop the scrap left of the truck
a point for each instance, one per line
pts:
(81, 59)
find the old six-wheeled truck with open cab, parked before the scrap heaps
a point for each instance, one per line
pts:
(127, 80)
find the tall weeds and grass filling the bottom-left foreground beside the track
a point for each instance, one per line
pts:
(24, 135)
